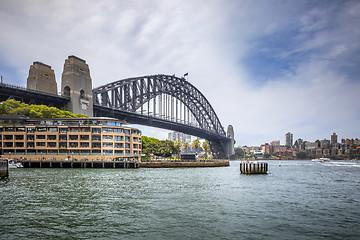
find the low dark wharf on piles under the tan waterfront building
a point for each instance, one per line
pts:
(79, 164)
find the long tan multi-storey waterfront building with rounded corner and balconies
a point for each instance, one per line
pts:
(91, 138)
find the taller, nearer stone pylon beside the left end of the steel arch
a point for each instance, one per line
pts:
(76, 83)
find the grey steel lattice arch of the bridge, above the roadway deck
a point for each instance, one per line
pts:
(133, 93)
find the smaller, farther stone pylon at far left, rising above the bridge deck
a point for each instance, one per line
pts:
(41, 78)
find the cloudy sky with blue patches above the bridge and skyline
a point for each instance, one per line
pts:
(266, 67)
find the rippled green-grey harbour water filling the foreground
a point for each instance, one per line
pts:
(299, 200)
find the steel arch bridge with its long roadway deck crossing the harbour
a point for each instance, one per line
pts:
(161, 101)
